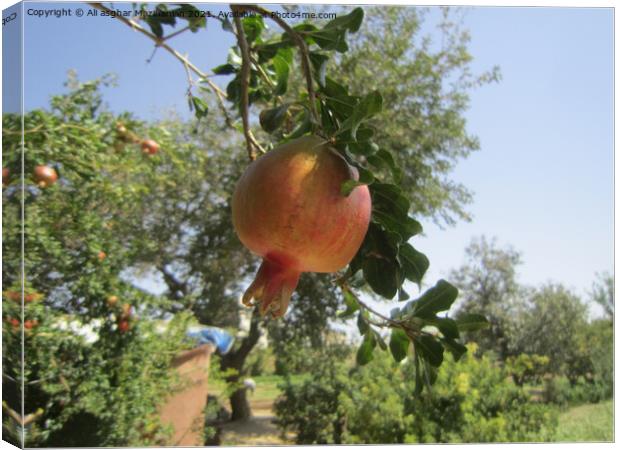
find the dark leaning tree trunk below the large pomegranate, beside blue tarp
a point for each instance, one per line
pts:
(239, 404)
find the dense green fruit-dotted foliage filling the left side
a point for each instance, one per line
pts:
(83, 373)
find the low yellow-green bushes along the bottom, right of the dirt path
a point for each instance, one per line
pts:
(471, 401)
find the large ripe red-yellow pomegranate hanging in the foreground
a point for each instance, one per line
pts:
(288, 208)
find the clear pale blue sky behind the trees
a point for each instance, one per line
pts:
(543, 180)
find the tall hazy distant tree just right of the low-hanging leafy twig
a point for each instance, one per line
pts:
(488, 285)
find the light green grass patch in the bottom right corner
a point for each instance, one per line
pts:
(587, 423)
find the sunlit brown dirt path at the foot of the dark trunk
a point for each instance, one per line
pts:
(259, 430)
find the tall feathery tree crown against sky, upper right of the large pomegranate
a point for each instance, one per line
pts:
(425, 80)
